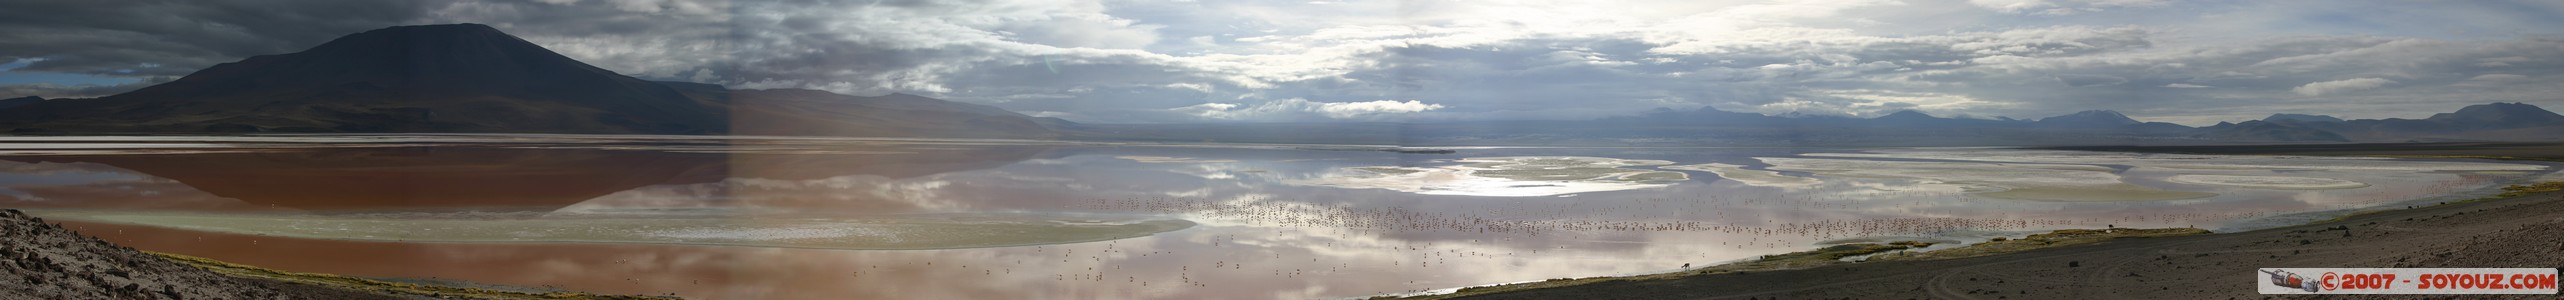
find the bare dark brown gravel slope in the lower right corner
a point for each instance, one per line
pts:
(2519, 232)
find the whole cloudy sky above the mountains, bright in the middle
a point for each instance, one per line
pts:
(1424, 60)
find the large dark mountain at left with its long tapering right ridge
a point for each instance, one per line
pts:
(473, 78)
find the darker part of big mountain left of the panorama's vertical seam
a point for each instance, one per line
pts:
(460, 78)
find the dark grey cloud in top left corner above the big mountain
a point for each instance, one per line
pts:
(178, 37)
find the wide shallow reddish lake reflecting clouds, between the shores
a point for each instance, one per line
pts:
(1260, 229)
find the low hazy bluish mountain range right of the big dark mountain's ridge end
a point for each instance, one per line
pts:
(1709, 127)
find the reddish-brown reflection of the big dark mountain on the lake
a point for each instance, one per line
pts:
(491, 176)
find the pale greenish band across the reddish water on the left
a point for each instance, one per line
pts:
(799, 232)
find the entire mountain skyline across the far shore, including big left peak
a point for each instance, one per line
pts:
(473, 78)
